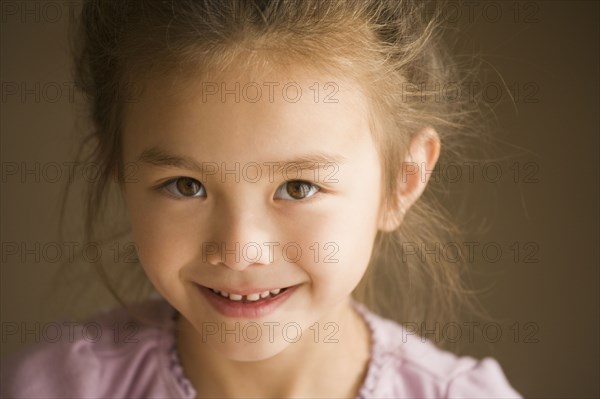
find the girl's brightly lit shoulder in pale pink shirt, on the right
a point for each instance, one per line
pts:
(404, 365)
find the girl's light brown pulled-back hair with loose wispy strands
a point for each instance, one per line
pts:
(386, 46)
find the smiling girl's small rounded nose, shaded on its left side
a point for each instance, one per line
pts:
(240, 239)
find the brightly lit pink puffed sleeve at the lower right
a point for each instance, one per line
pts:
(484, 380)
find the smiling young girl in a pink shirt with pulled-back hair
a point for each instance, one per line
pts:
(269, 153)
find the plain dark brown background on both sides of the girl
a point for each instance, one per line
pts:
(545, 52)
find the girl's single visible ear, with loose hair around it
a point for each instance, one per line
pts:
(419, 161)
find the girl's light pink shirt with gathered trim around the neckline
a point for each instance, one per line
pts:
(93, 361)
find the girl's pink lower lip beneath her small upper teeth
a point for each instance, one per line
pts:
(249, 310)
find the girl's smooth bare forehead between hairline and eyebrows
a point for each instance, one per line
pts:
(234, 114)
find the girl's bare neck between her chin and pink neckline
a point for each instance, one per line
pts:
(307, 368)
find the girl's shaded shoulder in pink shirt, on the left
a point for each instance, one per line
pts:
(111, 355)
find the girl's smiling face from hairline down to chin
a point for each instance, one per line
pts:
(246, 186)
